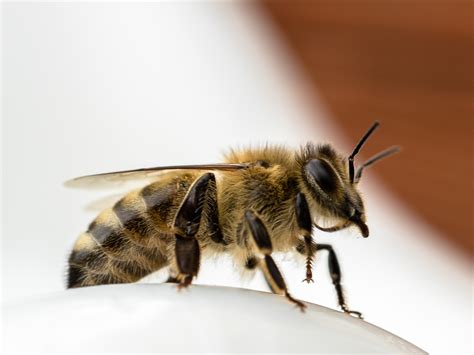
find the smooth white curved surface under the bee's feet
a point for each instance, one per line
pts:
(158, 318)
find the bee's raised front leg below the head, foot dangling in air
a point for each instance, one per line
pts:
(303, 218)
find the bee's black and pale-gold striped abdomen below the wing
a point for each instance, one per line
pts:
(130, 240)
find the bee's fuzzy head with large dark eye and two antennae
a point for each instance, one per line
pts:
(330, 180)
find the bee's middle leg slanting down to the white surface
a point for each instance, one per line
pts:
(271, 272)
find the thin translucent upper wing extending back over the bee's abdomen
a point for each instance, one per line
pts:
(121, 178)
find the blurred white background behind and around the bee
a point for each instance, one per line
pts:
(101, 87)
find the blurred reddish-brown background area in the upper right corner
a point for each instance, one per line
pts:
(410, 65)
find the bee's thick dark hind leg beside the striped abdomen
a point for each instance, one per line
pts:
(186, 226)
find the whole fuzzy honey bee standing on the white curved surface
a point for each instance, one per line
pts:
(257, 202)
